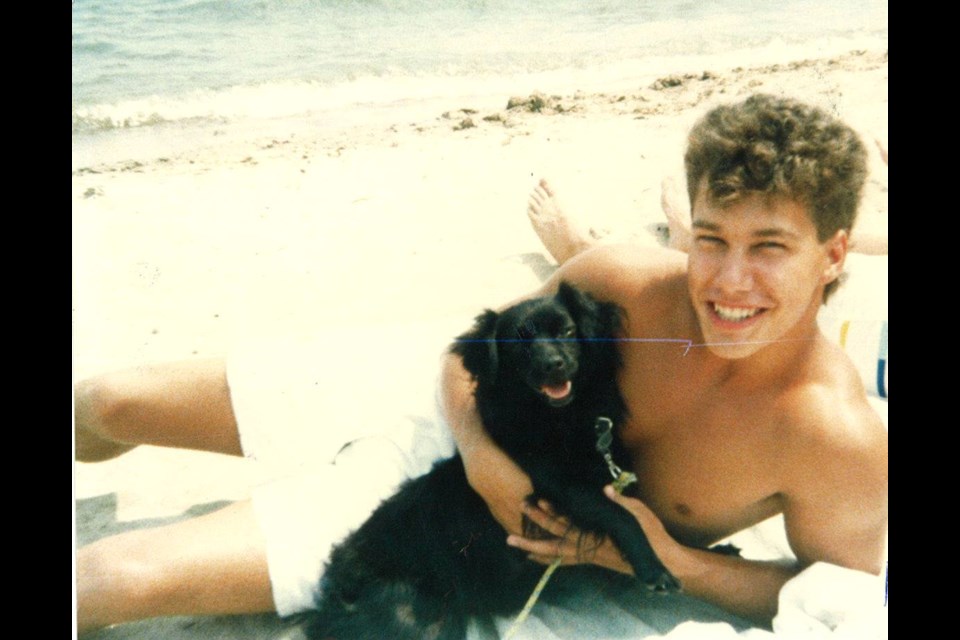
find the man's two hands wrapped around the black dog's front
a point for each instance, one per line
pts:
(574, 547)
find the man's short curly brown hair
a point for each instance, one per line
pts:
(782, 147)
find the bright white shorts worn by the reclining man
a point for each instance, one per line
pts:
(336, 428)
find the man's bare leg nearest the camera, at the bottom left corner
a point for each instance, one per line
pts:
(211, 565)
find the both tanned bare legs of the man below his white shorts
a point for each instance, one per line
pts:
(213, 564)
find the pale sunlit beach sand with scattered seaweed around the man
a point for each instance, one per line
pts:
(300, 228)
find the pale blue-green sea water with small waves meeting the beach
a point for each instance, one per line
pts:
(139, 64)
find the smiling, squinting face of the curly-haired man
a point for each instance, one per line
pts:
(756, 271)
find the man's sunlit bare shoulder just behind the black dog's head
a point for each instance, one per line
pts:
(624, 272)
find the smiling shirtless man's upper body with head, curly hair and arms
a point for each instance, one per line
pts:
(758, 414)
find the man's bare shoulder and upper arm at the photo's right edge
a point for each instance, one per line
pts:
(834, 470)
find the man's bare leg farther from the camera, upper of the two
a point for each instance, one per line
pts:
(182, 404)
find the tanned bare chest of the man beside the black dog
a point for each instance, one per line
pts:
(707, 461)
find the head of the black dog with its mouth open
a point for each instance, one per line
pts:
(541, 344)
